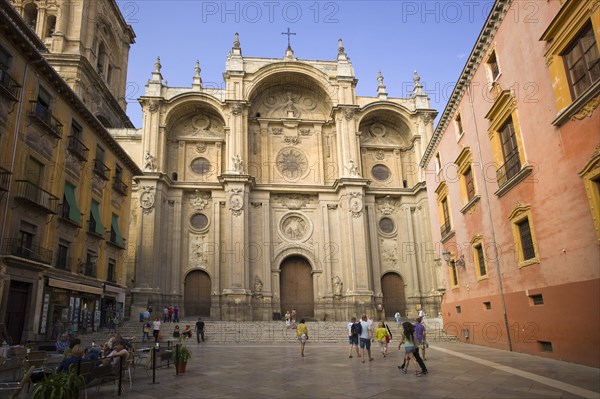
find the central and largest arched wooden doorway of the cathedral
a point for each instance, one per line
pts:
(296, 287)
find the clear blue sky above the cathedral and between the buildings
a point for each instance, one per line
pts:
(396, 37)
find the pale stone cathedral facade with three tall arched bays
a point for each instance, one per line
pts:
(281, 190)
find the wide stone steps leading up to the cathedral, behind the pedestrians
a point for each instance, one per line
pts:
(261, 331)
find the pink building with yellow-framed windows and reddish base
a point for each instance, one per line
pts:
(513, 173)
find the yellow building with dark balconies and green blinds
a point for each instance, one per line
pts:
(64, 197)
